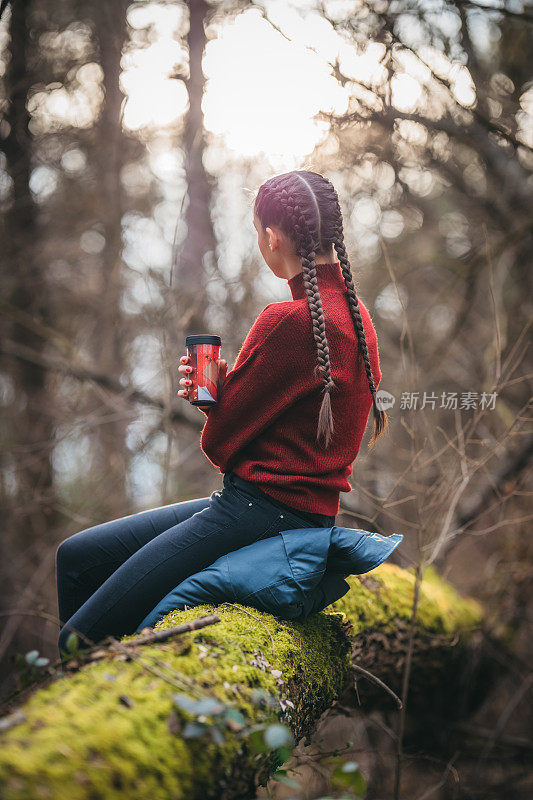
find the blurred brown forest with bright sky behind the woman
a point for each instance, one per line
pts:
(133, 137)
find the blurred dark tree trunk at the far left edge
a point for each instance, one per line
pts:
(28, 492)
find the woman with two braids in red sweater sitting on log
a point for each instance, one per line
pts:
(287, 427)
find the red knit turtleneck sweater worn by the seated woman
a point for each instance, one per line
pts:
(264, 426)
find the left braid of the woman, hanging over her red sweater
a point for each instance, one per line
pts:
(307, 242)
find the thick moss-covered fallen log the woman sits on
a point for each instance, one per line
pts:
(113, 729)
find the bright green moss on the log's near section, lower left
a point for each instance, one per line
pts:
(79, 734)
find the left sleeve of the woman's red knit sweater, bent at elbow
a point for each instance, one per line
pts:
(265, 379)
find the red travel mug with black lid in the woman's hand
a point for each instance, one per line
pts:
(203, 350)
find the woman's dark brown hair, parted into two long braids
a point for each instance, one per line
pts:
(305, 206)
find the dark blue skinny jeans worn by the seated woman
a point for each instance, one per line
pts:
(111, 575)
